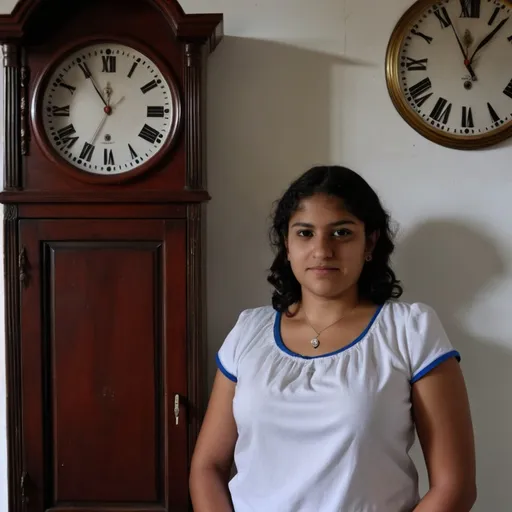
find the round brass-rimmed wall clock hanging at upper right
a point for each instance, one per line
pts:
(448, 71)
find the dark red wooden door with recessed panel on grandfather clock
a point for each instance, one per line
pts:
(103, 332)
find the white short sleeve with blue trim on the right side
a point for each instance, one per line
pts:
(428, 342)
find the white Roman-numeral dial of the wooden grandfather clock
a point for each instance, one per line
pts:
(107, 109)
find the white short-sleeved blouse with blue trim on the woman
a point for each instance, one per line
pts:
(329, 433)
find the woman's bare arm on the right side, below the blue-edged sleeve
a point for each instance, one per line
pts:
(443, 421)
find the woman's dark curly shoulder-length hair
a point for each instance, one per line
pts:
(377, 281)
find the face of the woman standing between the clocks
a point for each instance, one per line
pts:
(326, 247)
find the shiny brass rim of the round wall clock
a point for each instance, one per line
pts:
(392, 75)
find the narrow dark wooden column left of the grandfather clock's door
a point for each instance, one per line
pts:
(13, 356)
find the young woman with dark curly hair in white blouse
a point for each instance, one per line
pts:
(317, 397)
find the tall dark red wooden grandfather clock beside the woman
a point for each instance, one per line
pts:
(104, 193)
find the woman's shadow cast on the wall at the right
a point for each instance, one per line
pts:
(447, 264)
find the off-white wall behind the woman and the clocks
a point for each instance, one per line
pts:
(300, 82)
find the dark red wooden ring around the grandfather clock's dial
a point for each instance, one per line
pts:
(36, 111)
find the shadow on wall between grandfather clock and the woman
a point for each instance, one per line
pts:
(269, 118)
